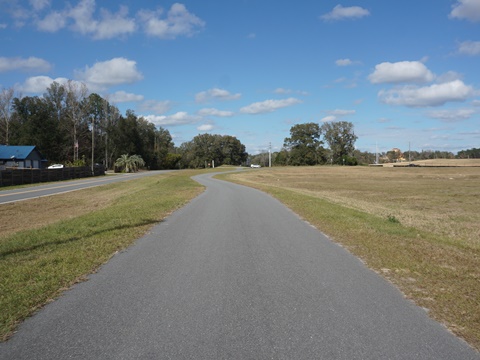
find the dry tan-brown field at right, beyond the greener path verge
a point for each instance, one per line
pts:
(445, 201)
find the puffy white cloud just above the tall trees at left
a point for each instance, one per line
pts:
(108, 73)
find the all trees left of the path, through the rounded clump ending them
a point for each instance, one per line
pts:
(72, 126)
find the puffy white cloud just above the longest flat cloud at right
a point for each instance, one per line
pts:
(401, 72)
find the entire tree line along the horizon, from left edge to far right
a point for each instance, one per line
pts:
(72, 126)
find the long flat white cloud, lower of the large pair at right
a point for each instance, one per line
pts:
(434, 95)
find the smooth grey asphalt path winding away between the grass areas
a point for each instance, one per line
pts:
(233, 275)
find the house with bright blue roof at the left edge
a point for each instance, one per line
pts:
(22, 157)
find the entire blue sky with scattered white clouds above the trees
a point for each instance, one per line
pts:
(403, 72)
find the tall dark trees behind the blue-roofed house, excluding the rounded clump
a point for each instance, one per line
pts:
(72, 126)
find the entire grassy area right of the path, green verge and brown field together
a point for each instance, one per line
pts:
(417, 226)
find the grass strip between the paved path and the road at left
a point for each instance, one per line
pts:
(78, 233)
